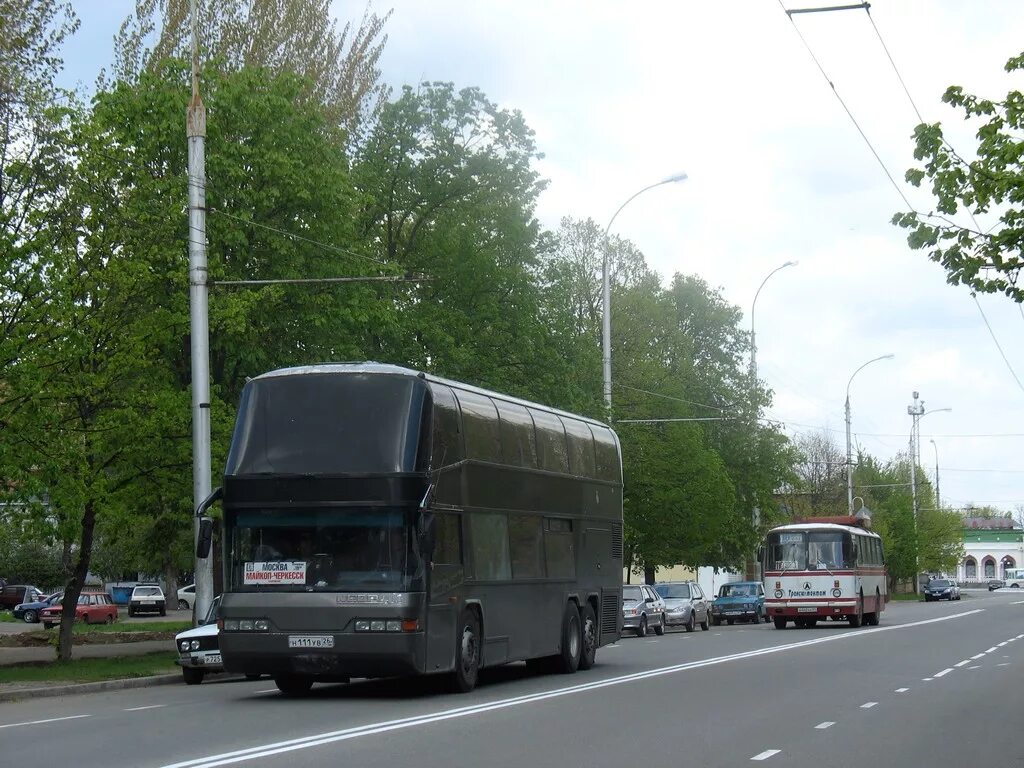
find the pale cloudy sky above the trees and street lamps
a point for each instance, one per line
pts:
(623, 95)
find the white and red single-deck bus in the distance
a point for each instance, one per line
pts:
(821, 569)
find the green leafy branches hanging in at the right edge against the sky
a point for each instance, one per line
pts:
(989, 260)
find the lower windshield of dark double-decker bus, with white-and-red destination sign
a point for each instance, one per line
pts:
(326, 550)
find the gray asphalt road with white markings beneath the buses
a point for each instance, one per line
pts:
(936, 685)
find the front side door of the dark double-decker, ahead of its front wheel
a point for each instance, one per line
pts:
(446, 585)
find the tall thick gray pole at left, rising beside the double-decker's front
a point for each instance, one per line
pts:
(199, 311)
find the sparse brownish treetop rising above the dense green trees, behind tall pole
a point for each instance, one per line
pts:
(298, 37)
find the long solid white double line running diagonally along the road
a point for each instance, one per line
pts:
(304, 743)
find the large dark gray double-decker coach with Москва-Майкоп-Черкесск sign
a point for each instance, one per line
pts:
(380, 522)
